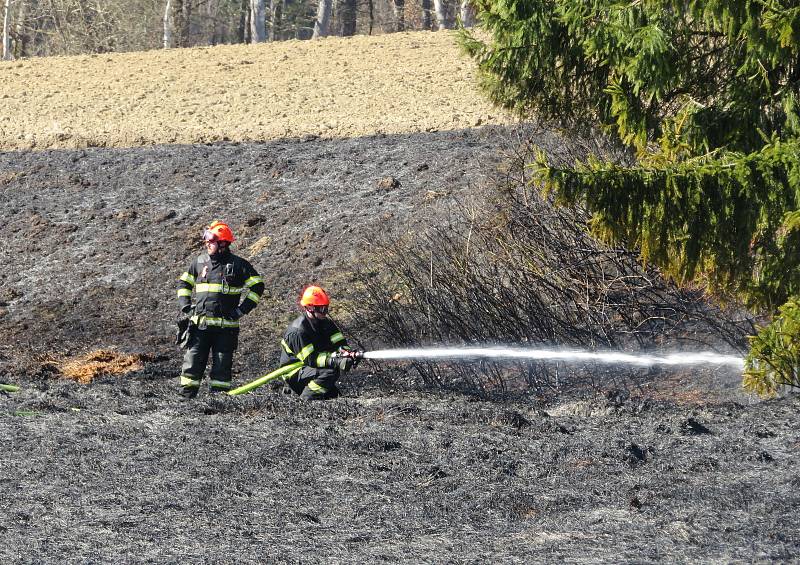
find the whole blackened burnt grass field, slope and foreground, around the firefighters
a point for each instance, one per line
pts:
(101, 463)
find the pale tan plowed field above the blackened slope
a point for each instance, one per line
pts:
(391, 84)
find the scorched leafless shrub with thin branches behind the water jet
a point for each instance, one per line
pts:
(514, 269)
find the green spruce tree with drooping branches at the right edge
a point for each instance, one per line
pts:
(705, 95)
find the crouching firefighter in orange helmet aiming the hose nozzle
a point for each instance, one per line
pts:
(316, 341)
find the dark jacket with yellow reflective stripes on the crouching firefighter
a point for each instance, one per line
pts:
(310, 343)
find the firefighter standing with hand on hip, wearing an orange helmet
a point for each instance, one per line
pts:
(218, 278)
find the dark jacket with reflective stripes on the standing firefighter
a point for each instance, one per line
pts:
(218, 284)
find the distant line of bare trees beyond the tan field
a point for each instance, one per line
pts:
(69, 27)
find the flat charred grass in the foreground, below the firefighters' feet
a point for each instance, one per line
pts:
(120, 472)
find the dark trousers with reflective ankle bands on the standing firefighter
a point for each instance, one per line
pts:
(220, 343)
